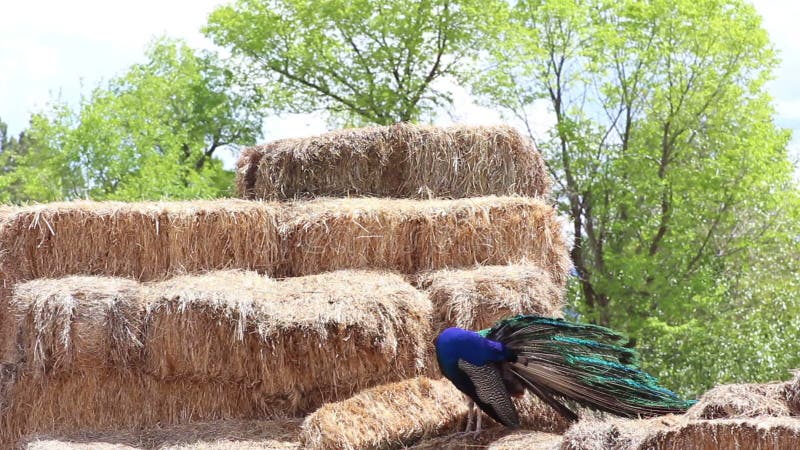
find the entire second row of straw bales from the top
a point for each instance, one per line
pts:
(150, 241)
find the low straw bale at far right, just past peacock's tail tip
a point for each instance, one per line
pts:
(741, 400)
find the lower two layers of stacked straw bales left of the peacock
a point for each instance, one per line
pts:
(108, 353)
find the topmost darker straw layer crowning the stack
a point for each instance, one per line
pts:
(402, 161)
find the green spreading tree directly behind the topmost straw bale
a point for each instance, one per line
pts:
(371, 61)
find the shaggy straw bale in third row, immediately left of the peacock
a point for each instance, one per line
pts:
(312, 339)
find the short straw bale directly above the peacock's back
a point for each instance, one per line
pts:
(475, 299)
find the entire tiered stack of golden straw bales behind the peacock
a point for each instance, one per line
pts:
(183, 338)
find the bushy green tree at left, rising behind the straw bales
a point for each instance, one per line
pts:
(149, 134)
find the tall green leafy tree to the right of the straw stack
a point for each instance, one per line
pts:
(670, 166)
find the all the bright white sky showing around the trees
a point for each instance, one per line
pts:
(52, 48)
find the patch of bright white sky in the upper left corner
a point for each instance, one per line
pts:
(50, 46)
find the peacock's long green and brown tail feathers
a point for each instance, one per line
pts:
(588, 364)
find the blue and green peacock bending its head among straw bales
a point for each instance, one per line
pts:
(555, 359)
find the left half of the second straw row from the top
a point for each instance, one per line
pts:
(144, 241)
